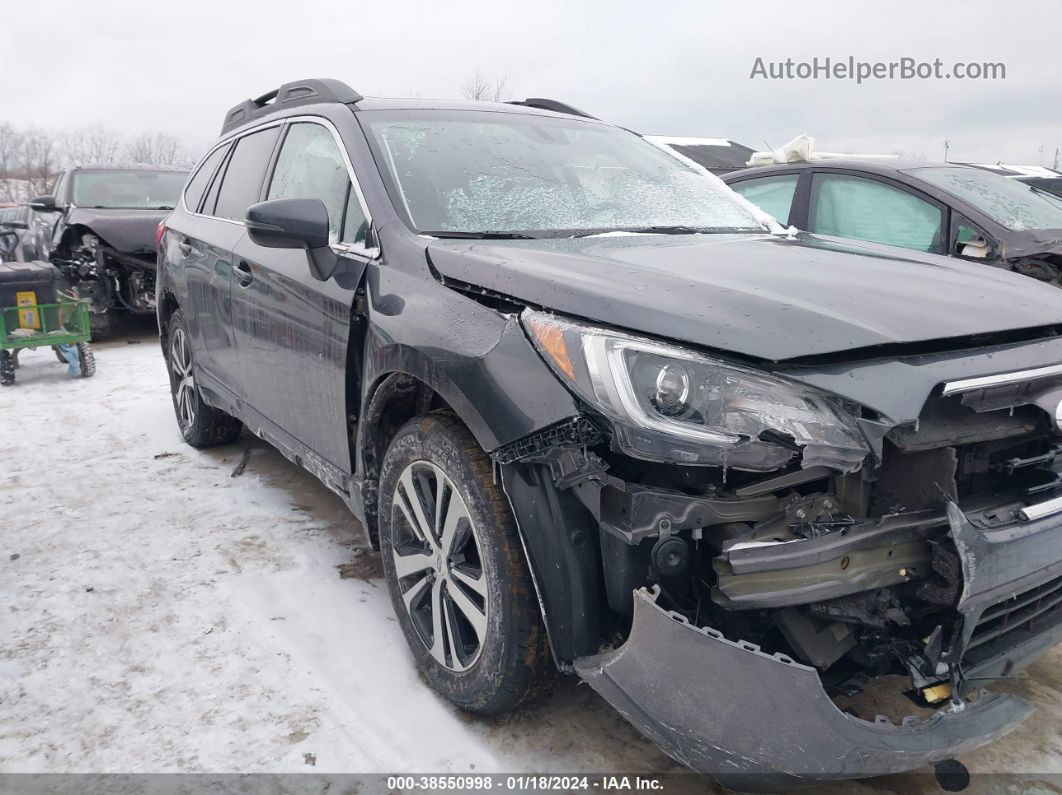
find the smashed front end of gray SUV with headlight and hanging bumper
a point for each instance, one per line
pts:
(792, 561)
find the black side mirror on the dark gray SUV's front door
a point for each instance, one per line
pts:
(295, 223)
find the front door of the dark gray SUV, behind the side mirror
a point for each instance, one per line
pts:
(292, 330)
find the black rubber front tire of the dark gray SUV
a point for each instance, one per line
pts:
(513, 654)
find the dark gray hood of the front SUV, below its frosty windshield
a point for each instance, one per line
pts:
(762, 297)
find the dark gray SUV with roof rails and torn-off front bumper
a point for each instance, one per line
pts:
(597, 413)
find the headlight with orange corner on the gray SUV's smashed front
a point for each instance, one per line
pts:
(673, 405)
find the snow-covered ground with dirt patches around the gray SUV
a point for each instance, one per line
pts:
(159, 615)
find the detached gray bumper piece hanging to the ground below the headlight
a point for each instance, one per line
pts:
(728, 710)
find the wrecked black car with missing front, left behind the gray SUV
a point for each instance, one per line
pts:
(101, 223)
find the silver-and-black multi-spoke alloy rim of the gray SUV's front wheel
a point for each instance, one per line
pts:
(439, 567)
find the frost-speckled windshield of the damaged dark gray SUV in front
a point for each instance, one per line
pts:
(538, 175)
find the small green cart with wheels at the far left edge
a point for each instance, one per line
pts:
(64, 327)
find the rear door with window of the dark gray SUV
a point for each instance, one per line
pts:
(205, 243)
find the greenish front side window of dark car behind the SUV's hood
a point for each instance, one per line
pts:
(848, 205)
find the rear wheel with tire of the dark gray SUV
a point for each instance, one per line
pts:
(201, 425)
